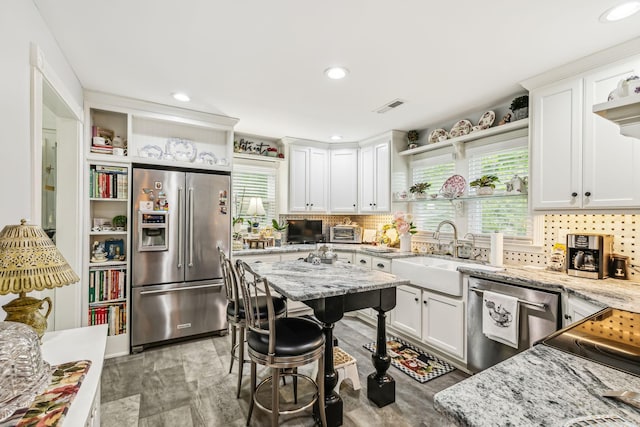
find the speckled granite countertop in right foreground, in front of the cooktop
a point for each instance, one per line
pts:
(539, 387)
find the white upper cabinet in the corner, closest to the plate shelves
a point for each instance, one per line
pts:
(375, 177)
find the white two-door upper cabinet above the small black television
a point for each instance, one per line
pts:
(308, 174)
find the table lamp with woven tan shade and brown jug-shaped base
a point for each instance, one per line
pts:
(30, 261)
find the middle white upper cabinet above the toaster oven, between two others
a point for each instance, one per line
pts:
(344, 180)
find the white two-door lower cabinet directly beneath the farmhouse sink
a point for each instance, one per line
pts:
(434, 319)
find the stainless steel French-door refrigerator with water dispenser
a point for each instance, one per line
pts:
(179, 219)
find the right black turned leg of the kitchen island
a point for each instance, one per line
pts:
(381, 387)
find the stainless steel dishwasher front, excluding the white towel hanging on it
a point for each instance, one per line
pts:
(539, 317)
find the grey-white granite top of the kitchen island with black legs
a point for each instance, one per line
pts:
(321, 281)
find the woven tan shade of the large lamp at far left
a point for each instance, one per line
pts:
(30, 261)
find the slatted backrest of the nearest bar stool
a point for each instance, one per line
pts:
(255, 289)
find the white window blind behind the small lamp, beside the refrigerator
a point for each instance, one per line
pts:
(254, 182)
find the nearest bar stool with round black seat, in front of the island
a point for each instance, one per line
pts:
(282, 344)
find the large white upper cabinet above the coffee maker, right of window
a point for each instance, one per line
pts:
(579, 160)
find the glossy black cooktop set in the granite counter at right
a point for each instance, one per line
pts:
(610, 337)
